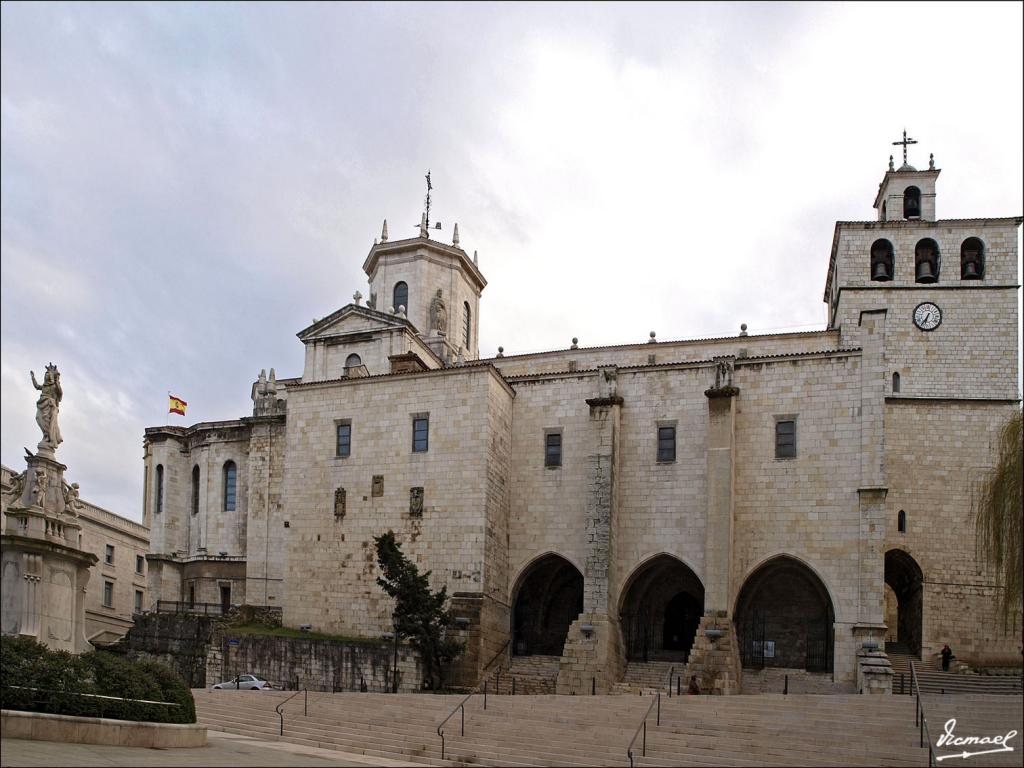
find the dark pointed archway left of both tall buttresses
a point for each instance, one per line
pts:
(548, 601)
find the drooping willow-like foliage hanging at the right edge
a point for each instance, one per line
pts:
(999, 511)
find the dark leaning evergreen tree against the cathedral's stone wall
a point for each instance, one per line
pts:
(419, 613)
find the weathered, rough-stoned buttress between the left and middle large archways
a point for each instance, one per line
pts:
(593, 658)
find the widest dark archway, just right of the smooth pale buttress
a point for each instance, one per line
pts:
(785, 618)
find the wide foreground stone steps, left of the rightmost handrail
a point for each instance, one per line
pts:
(583, 731)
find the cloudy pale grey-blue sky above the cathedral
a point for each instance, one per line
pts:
(186, 187)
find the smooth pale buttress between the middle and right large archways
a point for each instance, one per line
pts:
(715, 656)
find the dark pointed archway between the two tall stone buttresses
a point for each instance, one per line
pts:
(661, 611)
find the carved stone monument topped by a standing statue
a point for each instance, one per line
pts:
(46, 572)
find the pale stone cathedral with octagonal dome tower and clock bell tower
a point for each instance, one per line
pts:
(781, 500)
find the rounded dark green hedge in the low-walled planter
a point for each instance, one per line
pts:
(57, 673)
